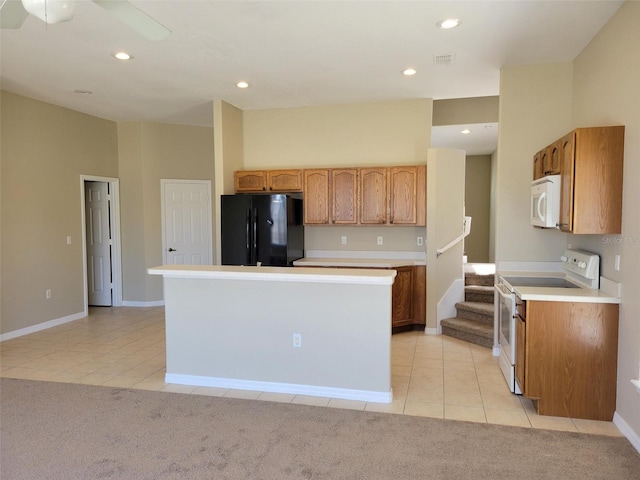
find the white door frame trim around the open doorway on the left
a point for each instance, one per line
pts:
(116, 250)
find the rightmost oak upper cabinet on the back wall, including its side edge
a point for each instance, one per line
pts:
(407, 197)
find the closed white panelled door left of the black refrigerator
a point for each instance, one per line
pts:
(186, 222)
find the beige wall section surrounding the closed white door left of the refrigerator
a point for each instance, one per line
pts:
(148, 153)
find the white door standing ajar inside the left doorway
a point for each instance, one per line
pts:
(98, 241)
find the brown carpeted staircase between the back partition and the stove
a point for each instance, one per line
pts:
(474, 321)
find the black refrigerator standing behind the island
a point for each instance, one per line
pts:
(261, 230)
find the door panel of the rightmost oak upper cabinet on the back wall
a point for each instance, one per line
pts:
(403, 186)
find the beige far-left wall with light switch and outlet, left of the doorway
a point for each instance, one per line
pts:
(45, 149)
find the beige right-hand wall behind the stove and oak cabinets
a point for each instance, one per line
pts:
(605, 92)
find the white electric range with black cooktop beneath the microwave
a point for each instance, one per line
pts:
(580, 270)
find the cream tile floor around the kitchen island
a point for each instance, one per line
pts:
(433, 376)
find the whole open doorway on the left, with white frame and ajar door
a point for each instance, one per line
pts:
(101, 241)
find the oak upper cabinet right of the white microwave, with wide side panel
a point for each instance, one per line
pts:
(592, 162)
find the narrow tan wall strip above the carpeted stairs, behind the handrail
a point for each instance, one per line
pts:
(477, 198)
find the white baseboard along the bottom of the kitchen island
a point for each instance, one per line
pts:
(313, 390)
